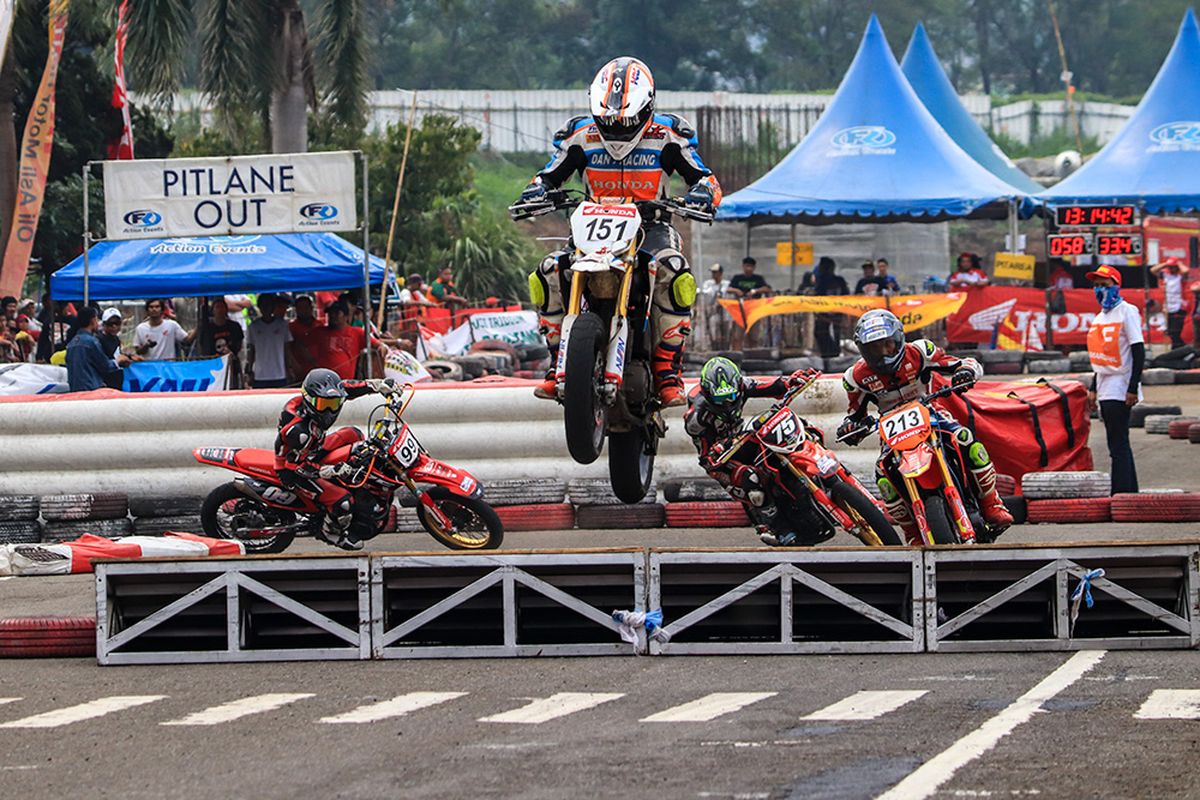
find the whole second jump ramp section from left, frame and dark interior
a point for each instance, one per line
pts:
(550, 604)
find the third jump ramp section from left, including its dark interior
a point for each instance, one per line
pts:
(781, 601)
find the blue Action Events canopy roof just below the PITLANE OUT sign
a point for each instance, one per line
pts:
(214, 266)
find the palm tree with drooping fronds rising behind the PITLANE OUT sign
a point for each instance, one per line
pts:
(255, 62)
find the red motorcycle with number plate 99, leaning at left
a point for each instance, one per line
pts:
(257, 510)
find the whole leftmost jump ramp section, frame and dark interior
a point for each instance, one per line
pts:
(232, 610)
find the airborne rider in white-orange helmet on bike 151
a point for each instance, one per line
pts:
(625, 152)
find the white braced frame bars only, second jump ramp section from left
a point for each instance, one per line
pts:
(507, 572)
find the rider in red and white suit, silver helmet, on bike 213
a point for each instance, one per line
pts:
(893, 372)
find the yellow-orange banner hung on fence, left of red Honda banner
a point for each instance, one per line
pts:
(915, 311)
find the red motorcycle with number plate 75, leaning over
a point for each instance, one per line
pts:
(813, 489)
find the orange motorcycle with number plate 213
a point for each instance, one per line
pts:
(932, 467)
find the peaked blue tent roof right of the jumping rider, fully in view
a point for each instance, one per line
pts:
(877, 155)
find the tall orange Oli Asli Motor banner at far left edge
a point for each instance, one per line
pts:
(35, 161)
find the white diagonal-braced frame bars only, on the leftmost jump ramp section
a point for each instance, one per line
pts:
(232, 576)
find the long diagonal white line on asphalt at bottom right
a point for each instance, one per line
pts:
(933, 774)
